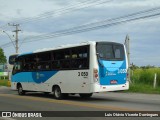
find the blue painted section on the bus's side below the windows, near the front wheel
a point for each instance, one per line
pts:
(36, 77)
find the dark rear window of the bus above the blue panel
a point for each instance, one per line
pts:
(110, 51)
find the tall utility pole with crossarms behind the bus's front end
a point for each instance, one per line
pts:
(16, 39)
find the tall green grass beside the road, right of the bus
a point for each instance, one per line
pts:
(142, 81)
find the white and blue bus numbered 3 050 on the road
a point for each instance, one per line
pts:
(83, 69)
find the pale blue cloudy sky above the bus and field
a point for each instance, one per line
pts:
(57, 15)
